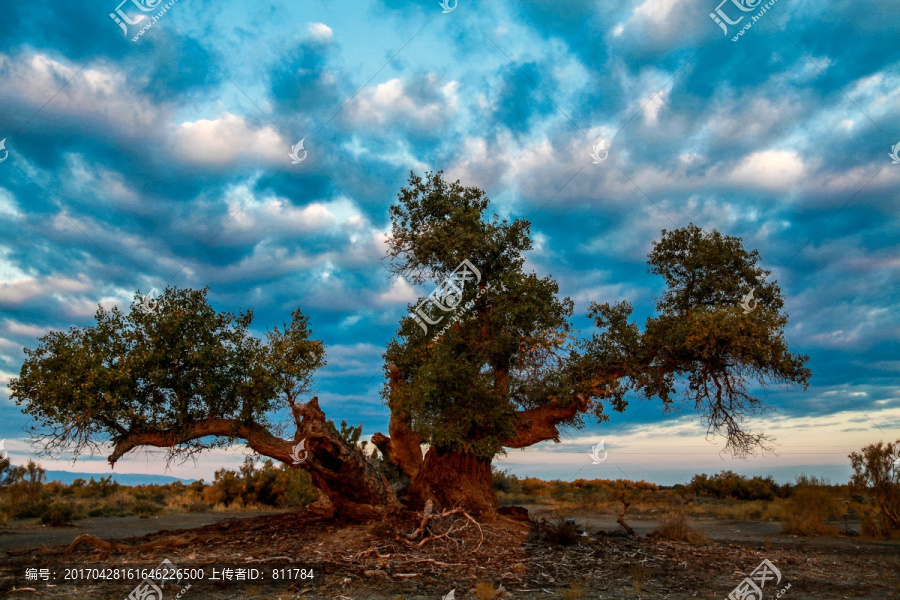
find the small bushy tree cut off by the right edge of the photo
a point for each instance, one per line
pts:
(876, 470)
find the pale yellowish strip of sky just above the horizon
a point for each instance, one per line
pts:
(674, 444)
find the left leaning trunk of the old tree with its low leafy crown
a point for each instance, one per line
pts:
(182, 376)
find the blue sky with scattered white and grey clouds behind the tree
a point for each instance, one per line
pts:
(164, 161)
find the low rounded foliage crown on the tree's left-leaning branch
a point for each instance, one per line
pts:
(162, 368)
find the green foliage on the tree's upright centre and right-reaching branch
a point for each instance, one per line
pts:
(515, 350)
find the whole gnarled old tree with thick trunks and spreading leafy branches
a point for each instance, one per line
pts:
(504, 369)
